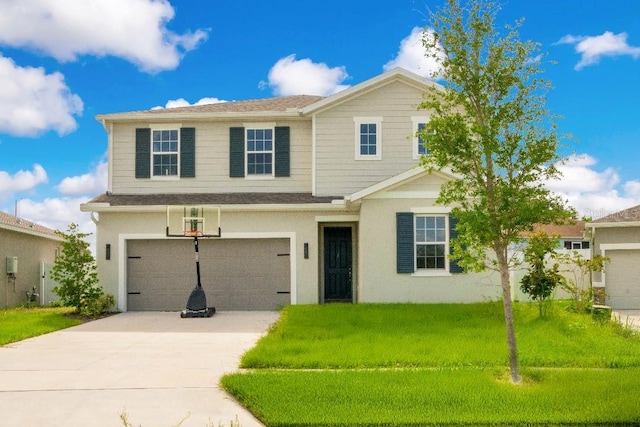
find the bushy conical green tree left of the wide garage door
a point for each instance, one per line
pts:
(76, 272)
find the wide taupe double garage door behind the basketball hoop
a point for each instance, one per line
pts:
(236, 274)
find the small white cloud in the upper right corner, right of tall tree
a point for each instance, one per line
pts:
(593, 48)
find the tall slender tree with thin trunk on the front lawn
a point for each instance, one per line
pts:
(490, 128)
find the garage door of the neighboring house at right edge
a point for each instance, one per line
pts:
(623, 279)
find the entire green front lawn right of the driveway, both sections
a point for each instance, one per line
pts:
(405, 365)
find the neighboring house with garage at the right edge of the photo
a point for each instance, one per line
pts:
(617, 237)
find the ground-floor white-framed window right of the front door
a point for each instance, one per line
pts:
(431, 242)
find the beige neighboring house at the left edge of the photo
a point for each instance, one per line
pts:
(25, 249)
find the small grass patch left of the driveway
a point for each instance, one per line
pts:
(20, 323)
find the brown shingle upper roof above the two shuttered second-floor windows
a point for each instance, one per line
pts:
(282, 103)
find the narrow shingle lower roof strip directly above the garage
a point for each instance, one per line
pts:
(210, 199)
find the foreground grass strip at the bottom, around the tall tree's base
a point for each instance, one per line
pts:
(438, 397)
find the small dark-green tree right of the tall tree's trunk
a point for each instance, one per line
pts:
(541, 280)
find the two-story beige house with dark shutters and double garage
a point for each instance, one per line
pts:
(321, 200)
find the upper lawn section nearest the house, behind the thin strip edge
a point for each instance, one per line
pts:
(443, 335)
